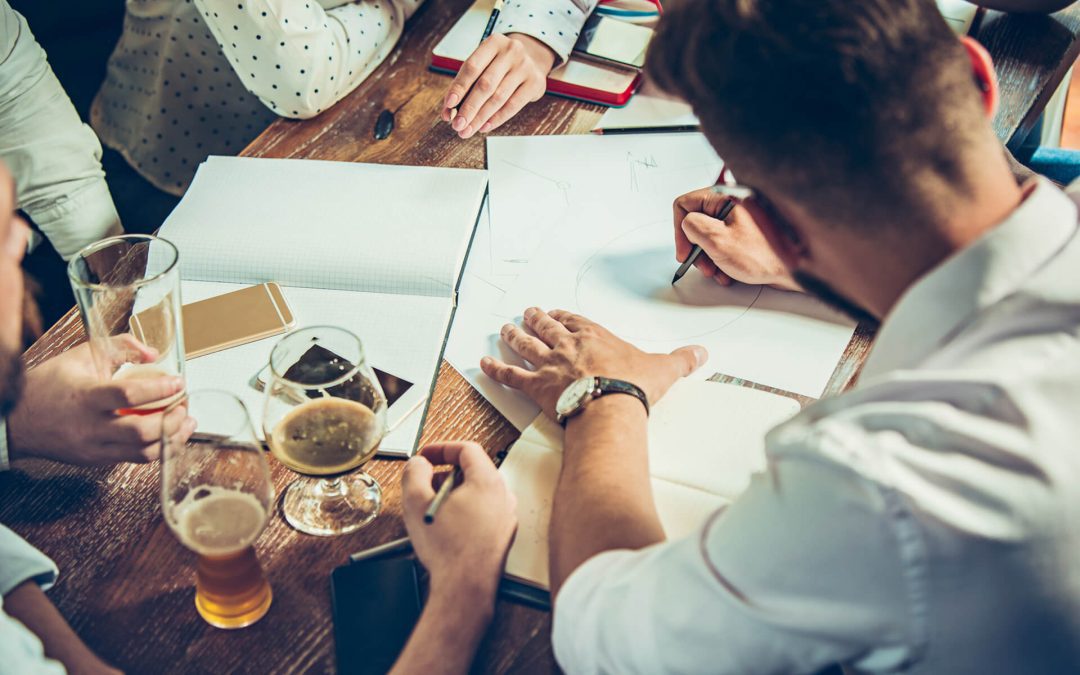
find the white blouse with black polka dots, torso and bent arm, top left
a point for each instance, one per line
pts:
(194, 78)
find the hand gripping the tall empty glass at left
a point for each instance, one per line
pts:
(66, 414)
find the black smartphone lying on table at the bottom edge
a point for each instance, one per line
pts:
(376, 606)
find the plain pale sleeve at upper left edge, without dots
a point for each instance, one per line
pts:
(55, 158)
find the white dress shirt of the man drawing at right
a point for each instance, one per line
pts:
(927, 521)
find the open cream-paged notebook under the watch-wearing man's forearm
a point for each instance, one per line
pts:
(694, 474)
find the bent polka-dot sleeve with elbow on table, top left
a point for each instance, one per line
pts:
(300, 59)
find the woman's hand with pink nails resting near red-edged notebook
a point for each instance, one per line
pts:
(502, 77)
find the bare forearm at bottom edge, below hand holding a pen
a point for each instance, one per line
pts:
(451, 628)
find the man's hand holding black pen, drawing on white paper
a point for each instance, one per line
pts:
(735, 250)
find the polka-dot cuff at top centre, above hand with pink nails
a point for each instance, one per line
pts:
(556, 23)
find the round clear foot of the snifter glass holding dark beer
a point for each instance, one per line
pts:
(332, 507)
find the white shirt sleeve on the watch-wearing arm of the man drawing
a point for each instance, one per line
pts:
(802, 572)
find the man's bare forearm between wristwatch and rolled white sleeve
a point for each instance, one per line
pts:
(604, 497)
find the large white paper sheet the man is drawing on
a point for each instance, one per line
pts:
(610, 255)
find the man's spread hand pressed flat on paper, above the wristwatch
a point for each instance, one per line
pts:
(564, 347)
